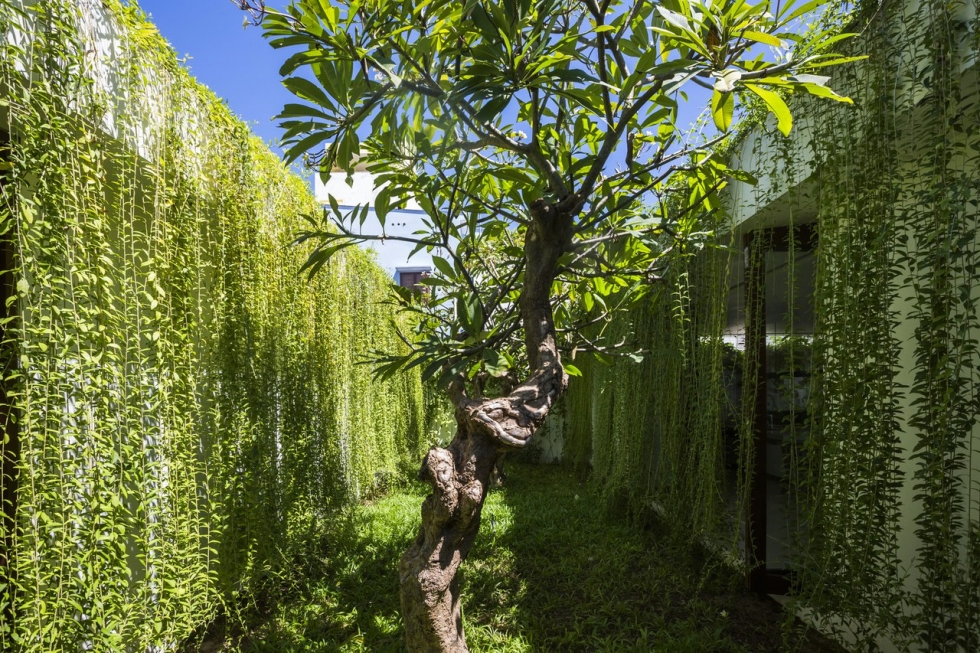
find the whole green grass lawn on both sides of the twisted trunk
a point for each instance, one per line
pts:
(549, 572)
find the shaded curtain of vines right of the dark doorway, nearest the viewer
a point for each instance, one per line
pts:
(894, 465)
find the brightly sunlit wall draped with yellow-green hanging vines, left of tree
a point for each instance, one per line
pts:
(182, 412)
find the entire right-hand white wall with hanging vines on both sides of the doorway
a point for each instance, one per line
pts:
(883, 470)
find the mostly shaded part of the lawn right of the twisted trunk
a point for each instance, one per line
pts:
(560, 575)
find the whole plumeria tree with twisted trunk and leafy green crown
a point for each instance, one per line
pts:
(540, 138)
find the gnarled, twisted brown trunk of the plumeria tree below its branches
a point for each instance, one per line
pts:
(460, 475)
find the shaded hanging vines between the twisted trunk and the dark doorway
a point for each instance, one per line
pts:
(652, 432)
